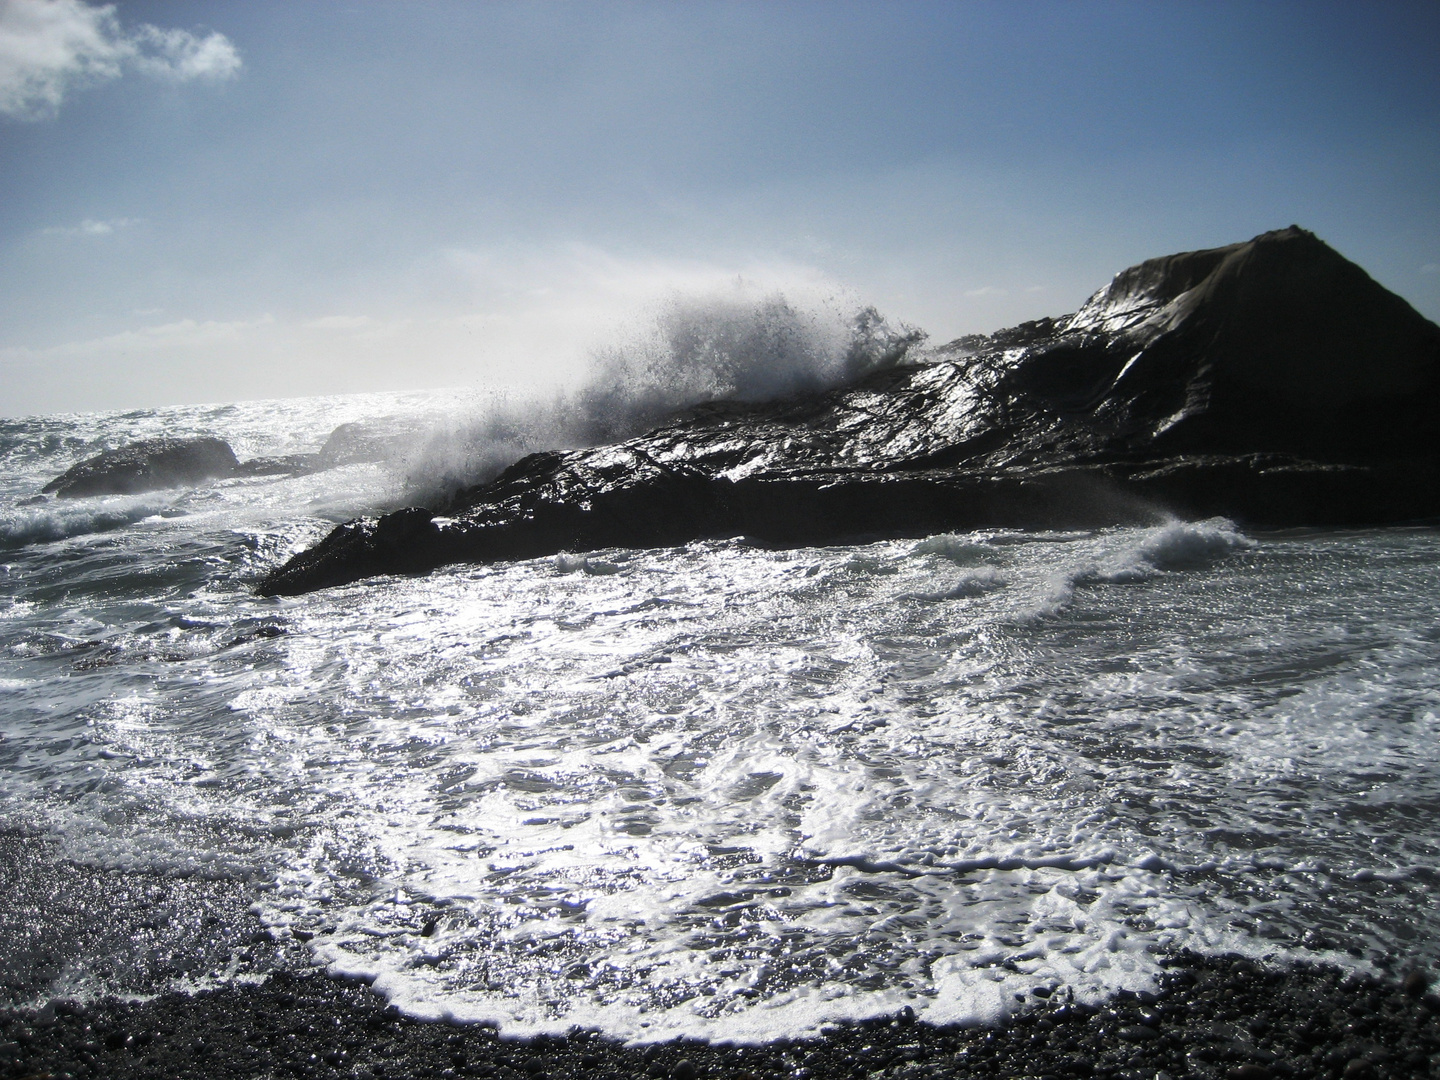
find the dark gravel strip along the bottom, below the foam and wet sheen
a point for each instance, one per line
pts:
(1213, 1019)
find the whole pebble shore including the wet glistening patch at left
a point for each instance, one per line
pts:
(274, 1014)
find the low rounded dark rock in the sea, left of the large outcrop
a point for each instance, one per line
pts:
(148, 466)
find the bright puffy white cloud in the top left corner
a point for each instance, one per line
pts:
(51, 48)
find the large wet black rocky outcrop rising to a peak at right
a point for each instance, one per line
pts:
(1272, 381)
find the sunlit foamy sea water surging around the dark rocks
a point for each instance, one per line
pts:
(718, 790)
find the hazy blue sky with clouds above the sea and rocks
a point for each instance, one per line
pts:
(211, 201)
